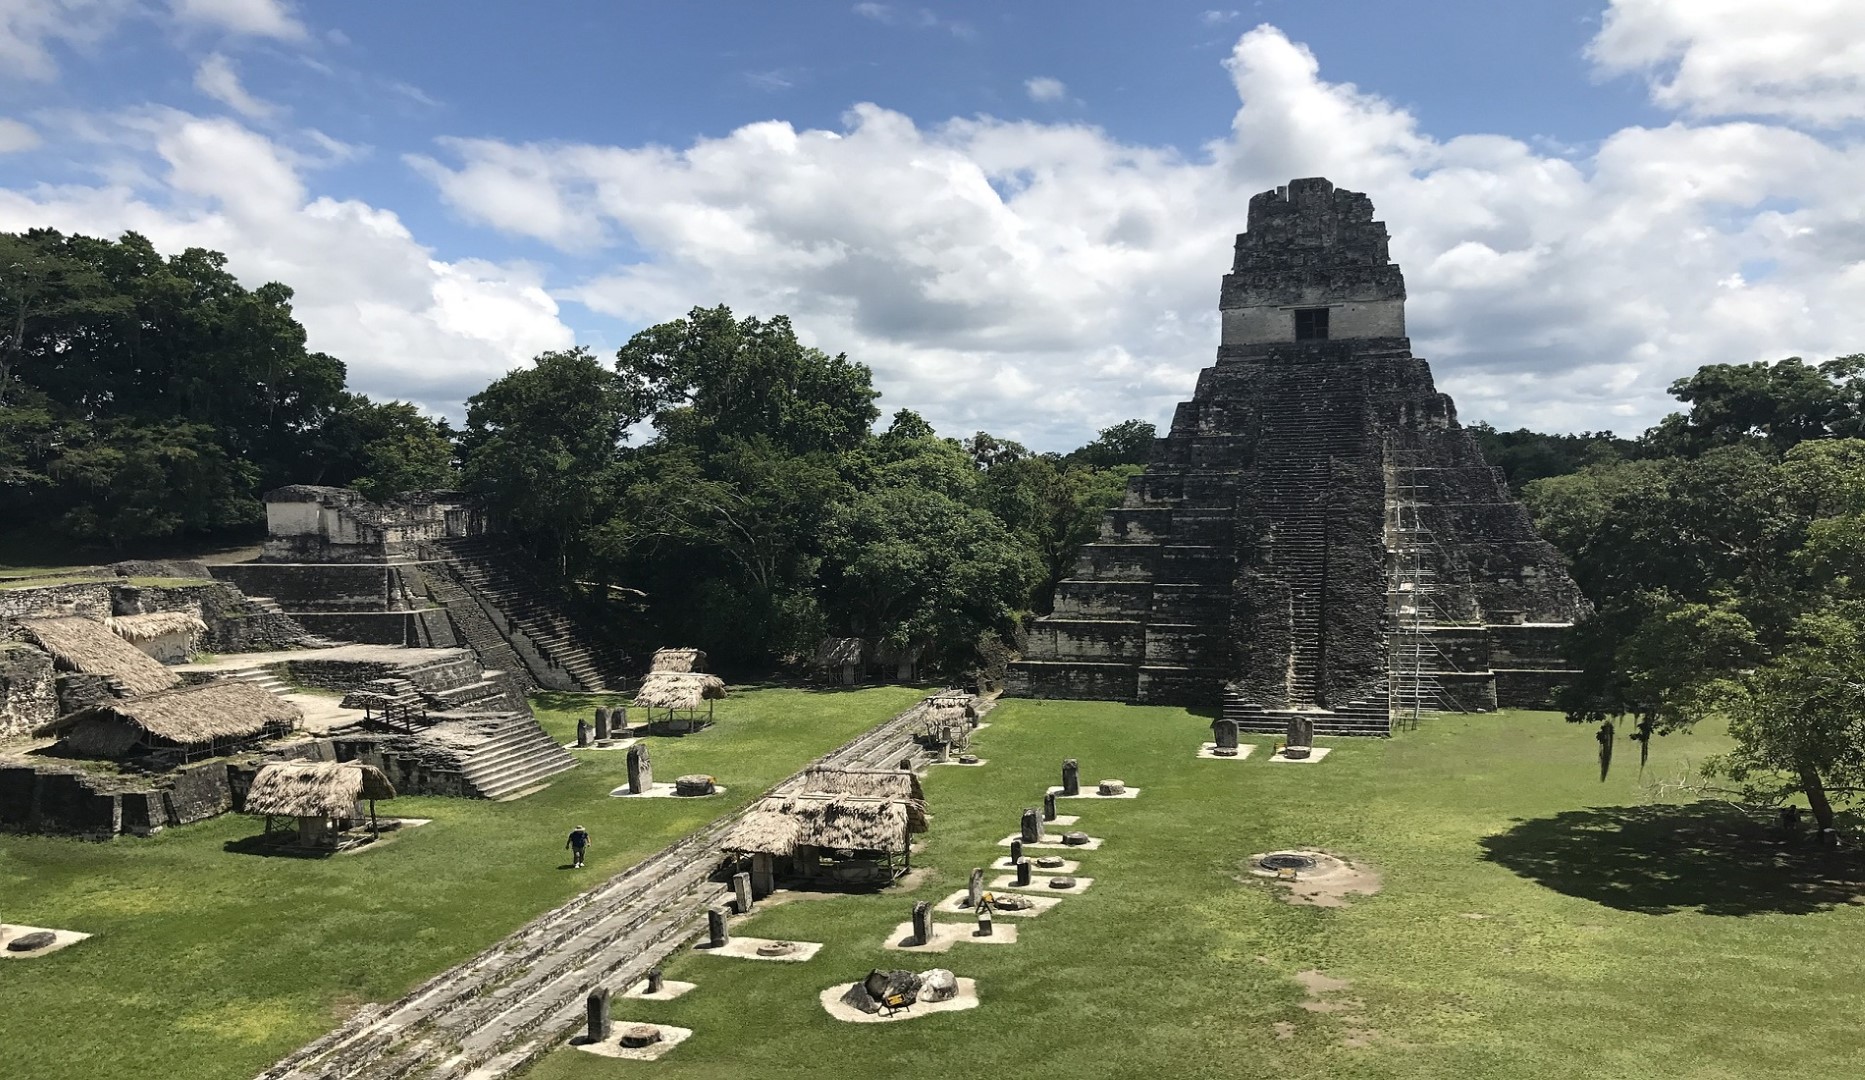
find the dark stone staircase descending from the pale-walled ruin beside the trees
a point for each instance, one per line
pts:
(497, 572)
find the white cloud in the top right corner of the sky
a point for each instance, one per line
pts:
(1803, 61)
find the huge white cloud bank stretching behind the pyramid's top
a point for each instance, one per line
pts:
(1047, 279)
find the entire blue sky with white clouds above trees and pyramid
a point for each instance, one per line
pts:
(1015, 212)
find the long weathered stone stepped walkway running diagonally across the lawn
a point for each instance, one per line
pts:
(514, 1003)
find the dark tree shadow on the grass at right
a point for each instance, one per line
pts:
(1666, 859)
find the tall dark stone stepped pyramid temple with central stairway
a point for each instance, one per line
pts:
(1316, 536)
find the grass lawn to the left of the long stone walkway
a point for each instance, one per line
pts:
(214, 965)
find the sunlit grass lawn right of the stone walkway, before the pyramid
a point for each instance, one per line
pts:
(1534, 922)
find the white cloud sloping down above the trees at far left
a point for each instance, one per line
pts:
(408, 324)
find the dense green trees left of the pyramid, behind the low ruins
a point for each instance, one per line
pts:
(717, 467)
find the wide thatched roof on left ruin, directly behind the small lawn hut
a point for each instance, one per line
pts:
(187, 717)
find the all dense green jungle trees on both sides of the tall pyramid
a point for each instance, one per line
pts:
(734, 482)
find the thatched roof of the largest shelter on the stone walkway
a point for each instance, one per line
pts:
(863, 810)
